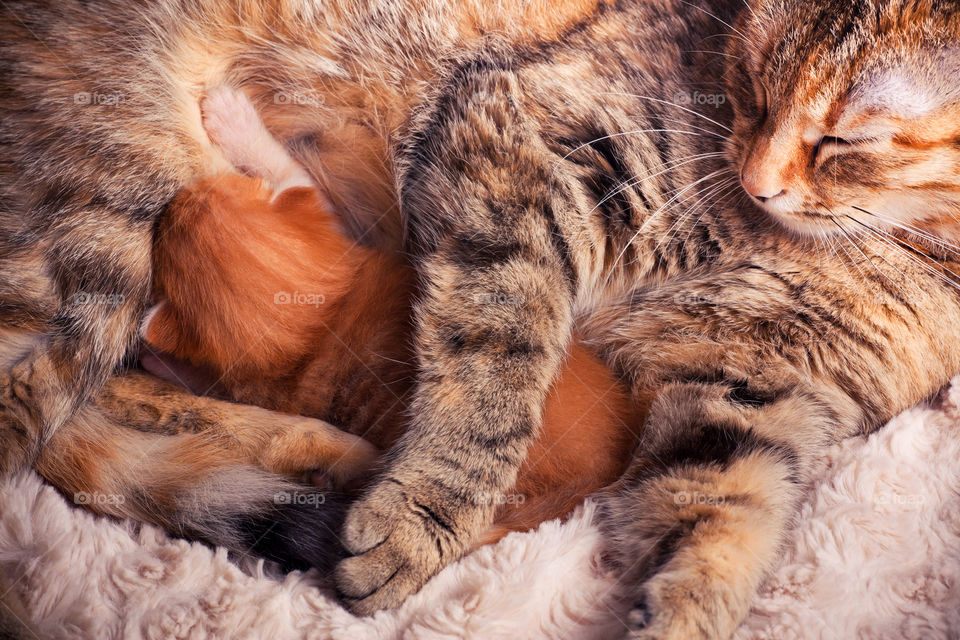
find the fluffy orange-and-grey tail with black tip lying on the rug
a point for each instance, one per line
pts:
(194, 485)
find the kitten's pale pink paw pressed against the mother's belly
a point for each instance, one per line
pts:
(233, 124)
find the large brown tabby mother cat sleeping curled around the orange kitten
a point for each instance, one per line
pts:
(539, 154)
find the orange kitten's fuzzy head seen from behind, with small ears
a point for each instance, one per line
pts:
(243, 278)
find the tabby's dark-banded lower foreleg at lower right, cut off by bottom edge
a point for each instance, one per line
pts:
(698, 519)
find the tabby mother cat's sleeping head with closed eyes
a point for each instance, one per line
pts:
(849, 110)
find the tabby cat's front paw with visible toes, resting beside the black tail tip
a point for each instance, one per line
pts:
(398, 538)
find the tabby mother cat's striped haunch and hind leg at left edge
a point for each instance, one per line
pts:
(83, 176)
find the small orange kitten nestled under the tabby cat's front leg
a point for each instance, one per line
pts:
(277, 308)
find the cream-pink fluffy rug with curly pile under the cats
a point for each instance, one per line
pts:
(876, 555)
